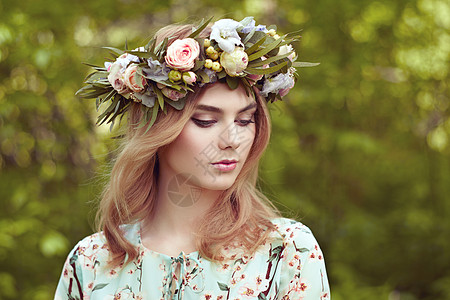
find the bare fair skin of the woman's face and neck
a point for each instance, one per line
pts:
(208, 137)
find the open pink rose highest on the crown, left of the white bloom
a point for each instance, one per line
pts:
(181, 54)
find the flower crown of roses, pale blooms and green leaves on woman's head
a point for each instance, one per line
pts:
(161, 75)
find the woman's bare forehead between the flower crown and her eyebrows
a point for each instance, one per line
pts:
(221, 96)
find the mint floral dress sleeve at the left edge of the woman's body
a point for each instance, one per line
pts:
(70, 285)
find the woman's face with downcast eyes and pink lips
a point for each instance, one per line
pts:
(214, 144)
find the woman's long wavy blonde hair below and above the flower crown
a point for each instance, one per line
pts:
(242, 214)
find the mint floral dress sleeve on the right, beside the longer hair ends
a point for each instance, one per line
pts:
(303, 273)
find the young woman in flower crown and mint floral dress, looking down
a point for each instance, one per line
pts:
(181, 217)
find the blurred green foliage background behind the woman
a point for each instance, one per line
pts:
(360, 150)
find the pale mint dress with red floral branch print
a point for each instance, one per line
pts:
(289, 266)
